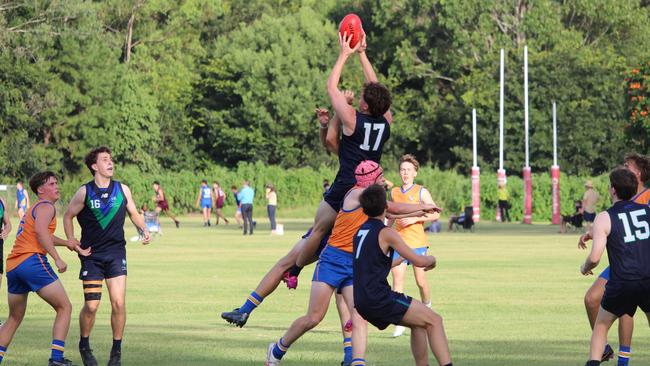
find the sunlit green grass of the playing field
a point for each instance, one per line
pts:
(510, 295)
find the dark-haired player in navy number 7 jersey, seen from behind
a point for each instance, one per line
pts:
(374, 246)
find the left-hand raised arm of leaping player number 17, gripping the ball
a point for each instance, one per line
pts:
(343, 110)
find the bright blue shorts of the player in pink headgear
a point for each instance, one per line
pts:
(334, 268)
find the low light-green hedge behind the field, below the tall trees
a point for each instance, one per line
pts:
(300, 189)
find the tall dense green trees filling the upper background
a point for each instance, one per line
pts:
(184, 85)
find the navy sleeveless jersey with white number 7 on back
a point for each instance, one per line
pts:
(371, 265)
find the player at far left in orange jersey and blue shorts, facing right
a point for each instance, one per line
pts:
(29, 270)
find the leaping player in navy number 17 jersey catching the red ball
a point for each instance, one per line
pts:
(364, 134)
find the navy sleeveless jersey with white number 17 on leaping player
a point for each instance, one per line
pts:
(366, 143)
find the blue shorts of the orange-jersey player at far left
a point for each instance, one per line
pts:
(32, 274)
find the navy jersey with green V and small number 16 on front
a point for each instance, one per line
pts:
(102, 219)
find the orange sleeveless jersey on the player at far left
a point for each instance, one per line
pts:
(26, 243)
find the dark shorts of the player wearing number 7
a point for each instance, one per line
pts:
(389, 311)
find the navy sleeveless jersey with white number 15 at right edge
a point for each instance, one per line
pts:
(628, 243)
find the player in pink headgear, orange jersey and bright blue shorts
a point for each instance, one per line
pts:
(334, 270)
